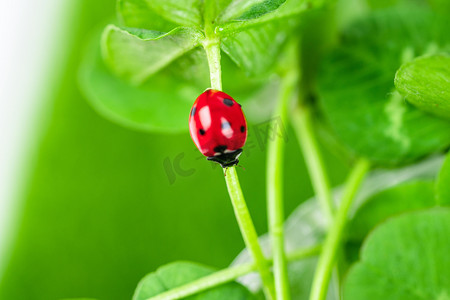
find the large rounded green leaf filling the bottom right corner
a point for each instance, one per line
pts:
(406, 258)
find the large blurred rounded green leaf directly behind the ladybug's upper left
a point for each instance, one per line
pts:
(163, 103)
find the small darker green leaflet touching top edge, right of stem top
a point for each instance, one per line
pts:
(248, 9)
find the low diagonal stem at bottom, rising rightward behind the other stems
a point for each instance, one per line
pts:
(225, 276)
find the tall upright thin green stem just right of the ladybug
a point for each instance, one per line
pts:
(275, 202)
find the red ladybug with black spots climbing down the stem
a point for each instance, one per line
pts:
(218, 127)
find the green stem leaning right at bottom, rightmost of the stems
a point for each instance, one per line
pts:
(334, 237)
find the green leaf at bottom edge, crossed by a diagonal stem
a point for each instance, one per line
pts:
(179, 273)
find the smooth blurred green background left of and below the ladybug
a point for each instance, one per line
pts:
(101, 209)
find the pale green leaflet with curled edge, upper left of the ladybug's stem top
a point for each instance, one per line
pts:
(136, 54)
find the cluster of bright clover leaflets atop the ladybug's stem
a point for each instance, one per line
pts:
(136, 54)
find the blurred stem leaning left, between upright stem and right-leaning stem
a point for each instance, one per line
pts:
(303, 126)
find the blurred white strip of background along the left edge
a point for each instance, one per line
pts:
(27, 28)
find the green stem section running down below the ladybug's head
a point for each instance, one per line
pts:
(248, 230)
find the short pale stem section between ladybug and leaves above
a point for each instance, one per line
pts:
(212, 49)
